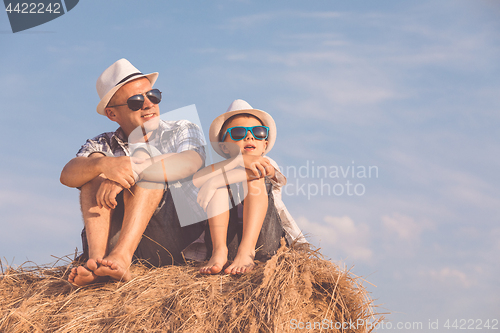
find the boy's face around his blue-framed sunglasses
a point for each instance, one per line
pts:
(249, 145)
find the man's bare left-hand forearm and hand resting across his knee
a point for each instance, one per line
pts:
(81, 170)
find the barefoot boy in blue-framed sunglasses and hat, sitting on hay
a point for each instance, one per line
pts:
(243, 135)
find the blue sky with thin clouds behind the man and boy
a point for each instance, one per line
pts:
(410, 88)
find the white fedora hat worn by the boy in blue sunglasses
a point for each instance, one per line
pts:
(237, 107)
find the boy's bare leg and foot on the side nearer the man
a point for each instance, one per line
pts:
(218, 209)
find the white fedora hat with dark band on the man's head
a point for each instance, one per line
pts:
(116, 76)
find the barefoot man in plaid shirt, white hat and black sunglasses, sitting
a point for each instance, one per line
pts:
(119, 202)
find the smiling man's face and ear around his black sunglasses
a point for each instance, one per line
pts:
(129, 120)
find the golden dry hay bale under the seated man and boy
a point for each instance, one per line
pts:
(296, 289)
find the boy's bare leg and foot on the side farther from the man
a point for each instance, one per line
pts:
(254, 212)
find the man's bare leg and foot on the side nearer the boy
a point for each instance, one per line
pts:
(138, 210)
